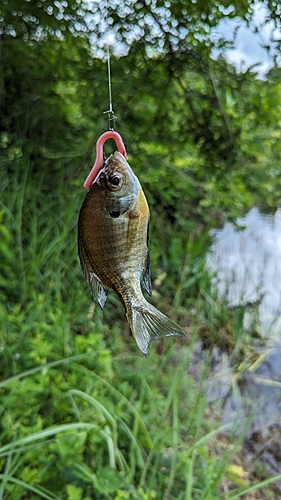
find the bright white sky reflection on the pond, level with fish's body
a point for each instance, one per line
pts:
(248, 264)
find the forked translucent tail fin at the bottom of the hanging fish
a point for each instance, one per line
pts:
(148, 324)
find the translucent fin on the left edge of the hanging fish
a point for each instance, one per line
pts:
(99, 291)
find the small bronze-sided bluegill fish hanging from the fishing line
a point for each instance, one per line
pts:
(112, 243)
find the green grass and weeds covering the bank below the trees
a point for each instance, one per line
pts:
(83, 415)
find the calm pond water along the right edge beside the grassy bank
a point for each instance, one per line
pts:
(246, 258)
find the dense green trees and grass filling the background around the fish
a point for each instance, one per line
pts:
(82, 415)
